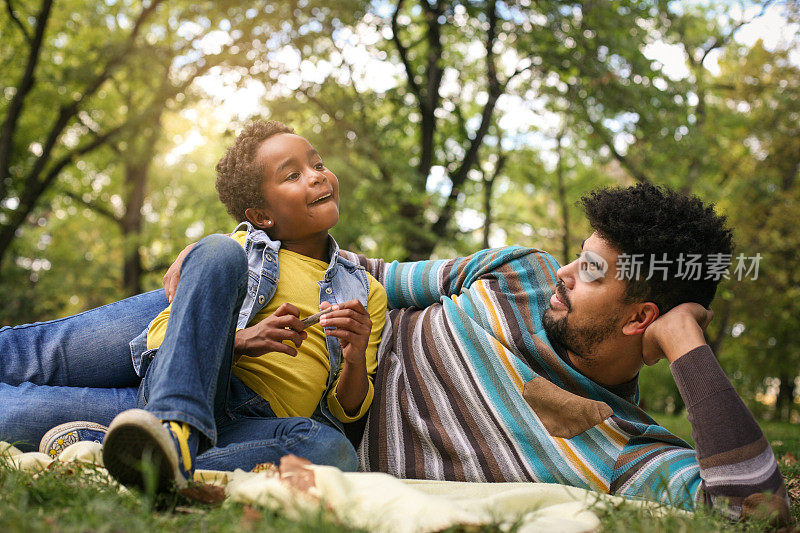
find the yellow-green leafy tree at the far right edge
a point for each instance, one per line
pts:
(762, 192)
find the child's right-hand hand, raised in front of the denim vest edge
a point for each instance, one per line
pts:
(352, 327)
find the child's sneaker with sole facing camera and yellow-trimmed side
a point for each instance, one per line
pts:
(139, 445)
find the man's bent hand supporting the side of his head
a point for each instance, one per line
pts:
(675, 333)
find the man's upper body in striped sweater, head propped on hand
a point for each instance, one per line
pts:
(505, 367)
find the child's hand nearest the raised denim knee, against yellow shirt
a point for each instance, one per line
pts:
(266, 336)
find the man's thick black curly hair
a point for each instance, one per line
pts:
(659, 222)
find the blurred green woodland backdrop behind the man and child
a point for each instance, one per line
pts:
(452, 125)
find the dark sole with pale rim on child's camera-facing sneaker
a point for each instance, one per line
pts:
(138, 446)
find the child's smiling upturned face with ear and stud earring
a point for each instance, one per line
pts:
(301, 196)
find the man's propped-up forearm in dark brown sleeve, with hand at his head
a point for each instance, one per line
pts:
(735, 459)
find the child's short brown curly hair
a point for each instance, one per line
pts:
(239, 176)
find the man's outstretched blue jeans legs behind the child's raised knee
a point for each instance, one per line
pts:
(73, 368)
